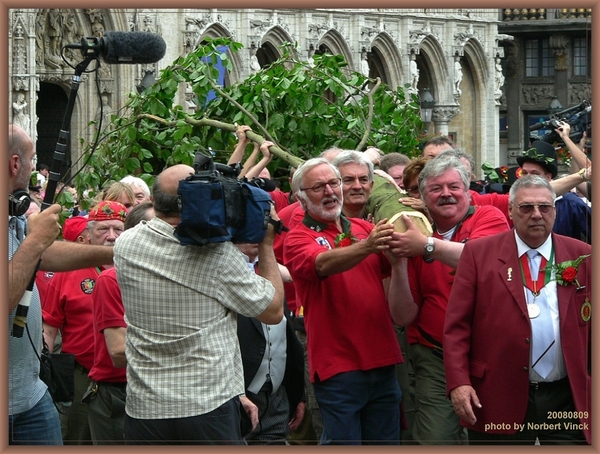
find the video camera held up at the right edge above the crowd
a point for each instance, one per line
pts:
(579, 117)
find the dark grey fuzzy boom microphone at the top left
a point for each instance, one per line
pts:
(123, 47)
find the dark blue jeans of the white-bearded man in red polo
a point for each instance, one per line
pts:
(360, 407)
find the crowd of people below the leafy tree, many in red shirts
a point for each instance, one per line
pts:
(466, 320)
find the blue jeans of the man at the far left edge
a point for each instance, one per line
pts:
(38, 426)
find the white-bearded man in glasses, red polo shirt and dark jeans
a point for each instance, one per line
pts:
(352, 347)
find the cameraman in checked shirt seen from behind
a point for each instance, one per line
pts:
(184, 368)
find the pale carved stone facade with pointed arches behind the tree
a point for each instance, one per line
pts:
(455, 52)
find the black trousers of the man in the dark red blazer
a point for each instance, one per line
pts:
(546, 401)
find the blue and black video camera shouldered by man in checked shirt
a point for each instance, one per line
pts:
(216, 206)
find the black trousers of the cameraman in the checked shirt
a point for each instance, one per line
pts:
(218, 427)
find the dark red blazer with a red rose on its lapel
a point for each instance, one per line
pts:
(487, 330)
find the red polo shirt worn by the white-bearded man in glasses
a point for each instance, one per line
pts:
(346, 315)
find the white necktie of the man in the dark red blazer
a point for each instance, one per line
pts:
(542, 351)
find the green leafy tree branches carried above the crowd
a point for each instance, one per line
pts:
(304, 109)
